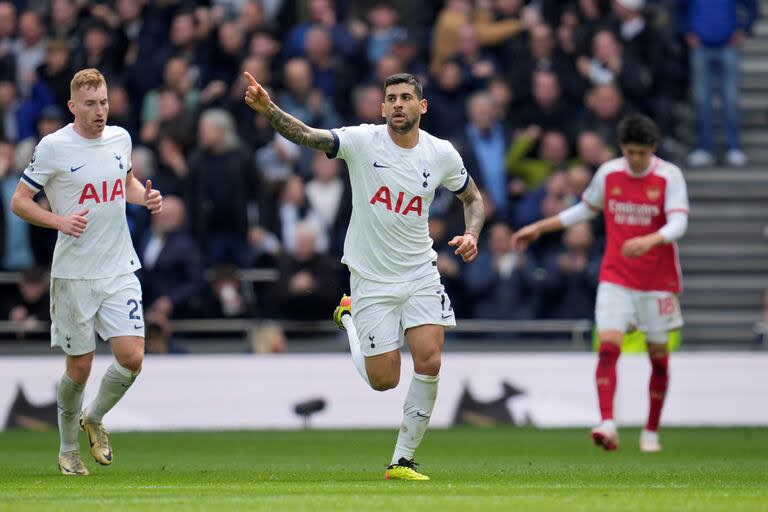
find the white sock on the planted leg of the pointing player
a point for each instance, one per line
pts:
(417, 410)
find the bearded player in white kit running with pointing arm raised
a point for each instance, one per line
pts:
(394, 169)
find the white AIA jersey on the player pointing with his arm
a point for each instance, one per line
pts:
(392, 190)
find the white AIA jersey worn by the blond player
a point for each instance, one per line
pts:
(79, 174)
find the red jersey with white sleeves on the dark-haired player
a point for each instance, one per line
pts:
(635, 205)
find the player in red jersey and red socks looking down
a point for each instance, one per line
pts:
(645, 206)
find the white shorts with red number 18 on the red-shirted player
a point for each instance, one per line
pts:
(619, 308)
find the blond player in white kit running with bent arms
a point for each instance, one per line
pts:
(85, 170)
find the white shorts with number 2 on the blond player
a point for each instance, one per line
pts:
(80, 308)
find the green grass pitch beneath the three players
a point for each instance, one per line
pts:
(471, 469)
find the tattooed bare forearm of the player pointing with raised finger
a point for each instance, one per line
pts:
(286, 125)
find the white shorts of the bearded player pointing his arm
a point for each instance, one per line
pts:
(383, 311)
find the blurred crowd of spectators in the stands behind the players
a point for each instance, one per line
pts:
(529, 92)
